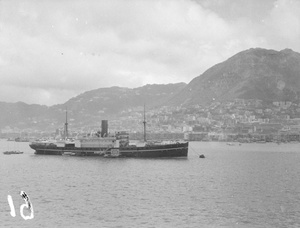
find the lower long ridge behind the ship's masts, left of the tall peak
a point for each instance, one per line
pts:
(103, 103)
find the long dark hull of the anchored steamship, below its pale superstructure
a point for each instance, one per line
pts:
(170, 150)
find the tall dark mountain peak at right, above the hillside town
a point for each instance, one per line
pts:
(252, 74)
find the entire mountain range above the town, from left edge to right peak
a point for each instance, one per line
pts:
(251, 74)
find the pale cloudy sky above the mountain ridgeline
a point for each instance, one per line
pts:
(52, 50)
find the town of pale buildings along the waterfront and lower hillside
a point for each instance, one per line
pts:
(238, 120)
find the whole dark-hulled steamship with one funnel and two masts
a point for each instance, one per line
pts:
(110, 146)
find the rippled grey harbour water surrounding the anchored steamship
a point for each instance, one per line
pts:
(252, 185)
